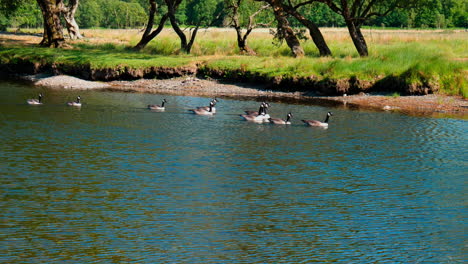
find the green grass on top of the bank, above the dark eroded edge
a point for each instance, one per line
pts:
(427, 59)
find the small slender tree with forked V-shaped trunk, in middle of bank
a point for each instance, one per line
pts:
(236, 22)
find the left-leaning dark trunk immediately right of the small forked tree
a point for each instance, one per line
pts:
(285, 29)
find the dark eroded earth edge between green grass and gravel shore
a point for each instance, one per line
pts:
(403, 84)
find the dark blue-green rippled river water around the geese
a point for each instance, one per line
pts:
(113, 182)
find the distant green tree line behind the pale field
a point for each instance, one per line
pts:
(132, 14)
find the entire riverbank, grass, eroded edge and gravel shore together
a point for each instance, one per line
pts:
(430, 64)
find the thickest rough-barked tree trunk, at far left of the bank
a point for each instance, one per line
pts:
(53, 30)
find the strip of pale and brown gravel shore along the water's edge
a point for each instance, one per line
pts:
(427, 105)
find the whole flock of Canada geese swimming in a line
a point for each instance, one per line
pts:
(260, 116)
